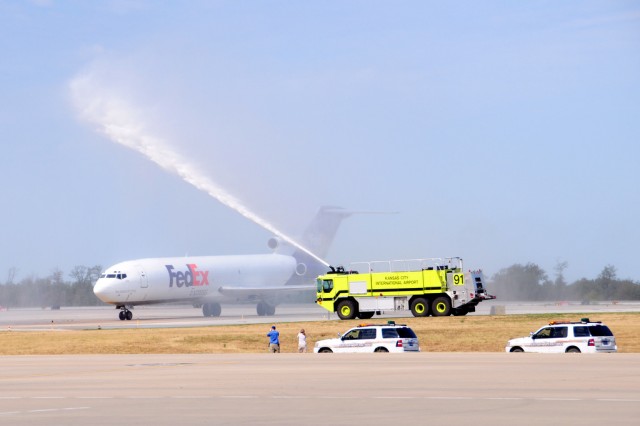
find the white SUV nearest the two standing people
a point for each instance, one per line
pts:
(372, 338)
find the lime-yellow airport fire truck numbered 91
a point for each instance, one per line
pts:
(435, 286)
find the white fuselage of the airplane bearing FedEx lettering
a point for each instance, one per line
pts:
(202, 278)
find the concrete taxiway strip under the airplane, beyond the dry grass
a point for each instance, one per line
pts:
(164, 316)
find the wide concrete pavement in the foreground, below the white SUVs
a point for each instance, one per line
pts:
(315, 389)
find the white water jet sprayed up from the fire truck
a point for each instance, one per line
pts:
(118, 120)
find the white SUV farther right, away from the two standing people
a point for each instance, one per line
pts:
(570, 337)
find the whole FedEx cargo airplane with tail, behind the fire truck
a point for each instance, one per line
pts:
(208, 281)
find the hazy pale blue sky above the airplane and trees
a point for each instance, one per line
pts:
(501, 131)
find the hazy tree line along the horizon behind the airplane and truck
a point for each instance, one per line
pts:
(518, 282)
